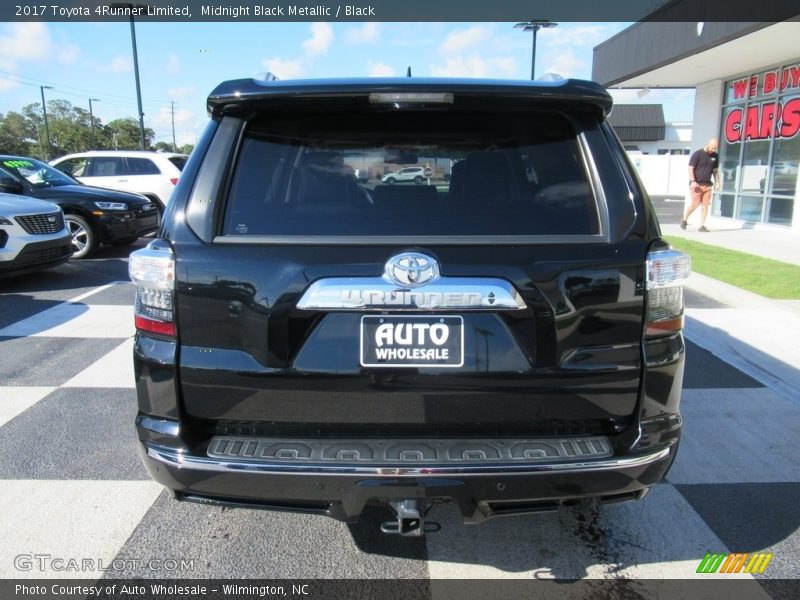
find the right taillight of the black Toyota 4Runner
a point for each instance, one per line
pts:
(666, 271)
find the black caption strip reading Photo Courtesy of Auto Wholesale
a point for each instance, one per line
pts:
(405, 589)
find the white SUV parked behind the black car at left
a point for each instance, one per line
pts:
(152, 174)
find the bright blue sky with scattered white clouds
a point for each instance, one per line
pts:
(183, 62)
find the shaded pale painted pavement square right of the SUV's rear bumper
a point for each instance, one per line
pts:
(736, 435)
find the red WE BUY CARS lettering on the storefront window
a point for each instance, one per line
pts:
(767, 119)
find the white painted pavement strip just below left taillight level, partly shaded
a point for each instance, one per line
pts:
(76, 321)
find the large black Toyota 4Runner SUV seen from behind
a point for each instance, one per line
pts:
(505, 335)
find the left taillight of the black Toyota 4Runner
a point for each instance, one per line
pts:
(152, 269)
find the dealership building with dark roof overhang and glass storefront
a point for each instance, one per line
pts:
(746, 78)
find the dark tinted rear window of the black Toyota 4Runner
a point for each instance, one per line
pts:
(410, 174)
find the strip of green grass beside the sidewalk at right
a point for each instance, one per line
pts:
(770, 278)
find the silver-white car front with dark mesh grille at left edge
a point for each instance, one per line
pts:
(33, 235)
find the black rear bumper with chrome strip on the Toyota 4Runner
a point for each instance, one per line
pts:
(342, 490)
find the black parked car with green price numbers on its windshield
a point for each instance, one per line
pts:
(94, 215)
